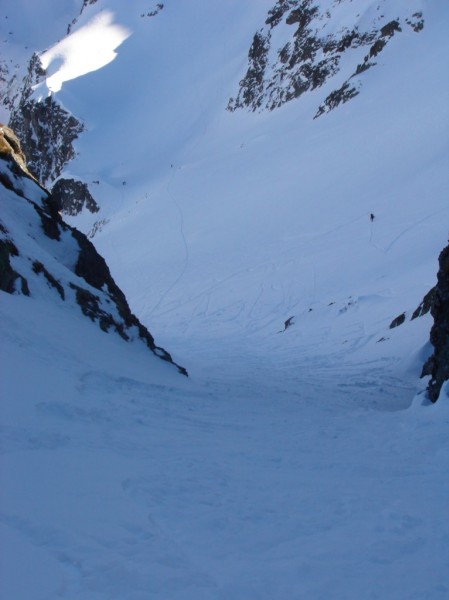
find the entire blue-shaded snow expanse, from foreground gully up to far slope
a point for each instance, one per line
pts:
(296, 465)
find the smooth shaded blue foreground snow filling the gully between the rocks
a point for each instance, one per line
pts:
(121, 481)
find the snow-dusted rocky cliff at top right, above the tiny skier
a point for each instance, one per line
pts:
(299, 50)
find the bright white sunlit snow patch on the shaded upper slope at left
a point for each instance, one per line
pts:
(88, 49)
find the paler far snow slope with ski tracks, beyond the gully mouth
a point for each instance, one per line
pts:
(222, 225)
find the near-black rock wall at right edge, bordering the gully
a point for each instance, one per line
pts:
(437, 366)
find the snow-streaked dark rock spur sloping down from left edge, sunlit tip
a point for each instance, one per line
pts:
(42, 256)
